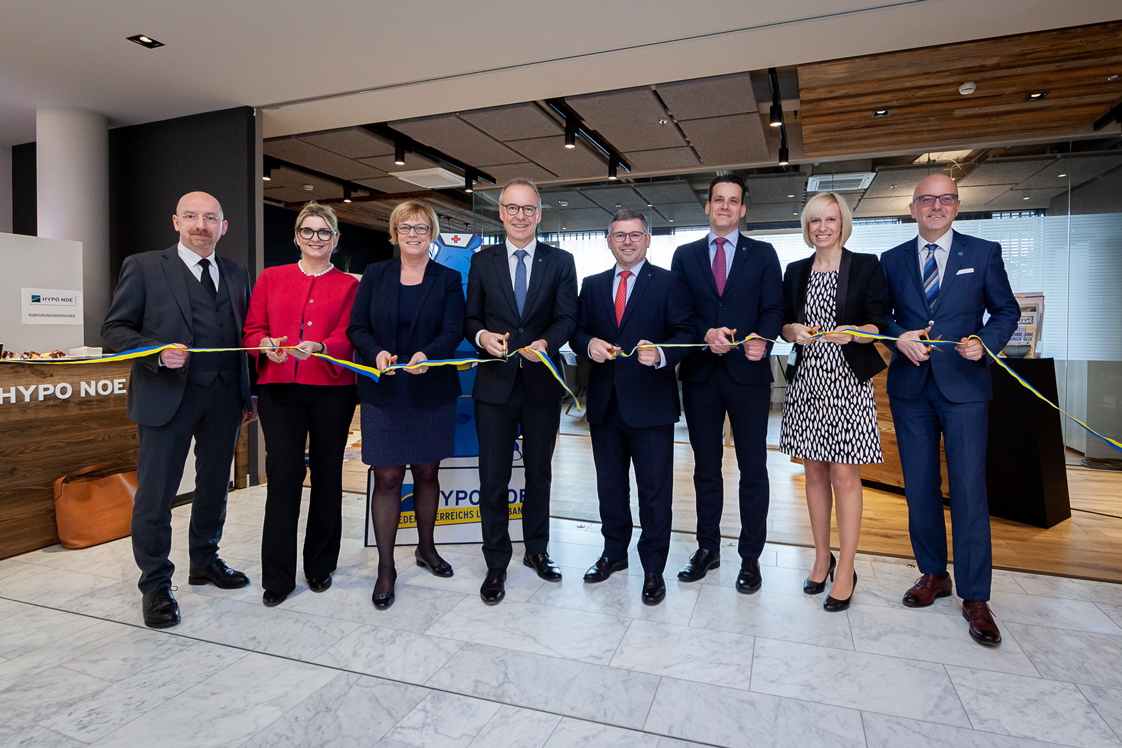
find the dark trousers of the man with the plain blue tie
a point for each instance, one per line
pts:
(498, 427)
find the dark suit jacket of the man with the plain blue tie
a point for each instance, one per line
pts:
(550, 315)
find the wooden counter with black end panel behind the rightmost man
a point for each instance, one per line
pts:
(1026, 470)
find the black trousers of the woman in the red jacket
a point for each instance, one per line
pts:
(292, 415)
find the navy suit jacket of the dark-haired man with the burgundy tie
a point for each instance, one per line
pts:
(752, 302)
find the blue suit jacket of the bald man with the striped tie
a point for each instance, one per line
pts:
(974, 282)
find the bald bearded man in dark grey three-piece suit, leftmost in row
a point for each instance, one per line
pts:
(191, 298)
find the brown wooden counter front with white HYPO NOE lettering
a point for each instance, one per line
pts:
(65, 419)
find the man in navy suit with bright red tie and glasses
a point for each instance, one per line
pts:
(633, 402)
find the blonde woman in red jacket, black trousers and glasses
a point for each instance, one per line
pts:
(304, 401)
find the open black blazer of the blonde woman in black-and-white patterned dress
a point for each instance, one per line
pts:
(860, 302)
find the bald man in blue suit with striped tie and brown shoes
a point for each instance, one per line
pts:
(940, 287)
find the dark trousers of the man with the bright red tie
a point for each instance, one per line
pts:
(615, 447)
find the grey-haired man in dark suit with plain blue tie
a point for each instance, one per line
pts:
(521, 294)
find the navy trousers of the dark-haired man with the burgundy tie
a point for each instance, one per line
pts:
(706, 404)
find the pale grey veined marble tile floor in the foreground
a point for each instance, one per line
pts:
(555, 666)
